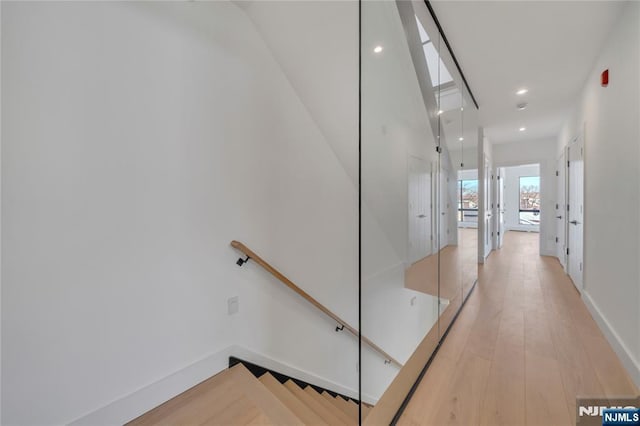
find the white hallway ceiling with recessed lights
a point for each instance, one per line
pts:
(548, 47)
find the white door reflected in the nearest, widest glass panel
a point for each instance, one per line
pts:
(419, 209)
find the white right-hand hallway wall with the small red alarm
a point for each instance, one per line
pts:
(609, 119)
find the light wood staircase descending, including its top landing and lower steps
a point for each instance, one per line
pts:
(236, 397)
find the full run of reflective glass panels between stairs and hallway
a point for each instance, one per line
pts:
(413, 152)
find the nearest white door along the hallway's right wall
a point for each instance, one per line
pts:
(575, 211)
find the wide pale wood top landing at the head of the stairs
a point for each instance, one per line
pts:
(233, 392)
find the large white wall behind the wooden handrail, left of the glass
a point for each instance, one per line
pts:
(132, 154)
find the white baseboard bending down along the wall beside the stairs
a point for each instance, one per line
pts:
(139, 402)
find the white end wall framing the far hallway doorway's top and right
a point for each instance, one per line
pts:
(542, 152)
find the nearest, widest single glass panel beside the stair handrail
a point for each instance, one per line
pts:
(399, 172)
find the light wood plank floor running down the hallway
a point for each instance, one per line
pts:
(522, 349)
